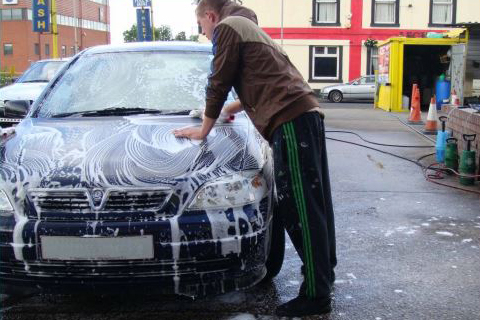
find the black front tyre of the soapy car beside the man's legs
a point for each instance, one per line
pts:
(277, 248)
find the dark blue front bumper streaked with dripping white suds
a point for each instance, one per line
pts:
(198, 265)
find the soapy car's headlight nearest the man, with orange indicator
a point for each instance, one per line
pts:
(231, 191)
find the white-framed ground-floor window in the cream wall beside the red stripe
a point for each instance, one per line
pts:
(325, 64)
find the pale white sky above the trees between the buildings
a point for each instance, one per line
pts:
(178, 14)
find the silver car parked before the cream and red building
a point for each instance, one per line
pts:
(362, 88)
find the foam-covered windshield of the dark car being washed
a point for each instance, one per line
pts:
(164, 81)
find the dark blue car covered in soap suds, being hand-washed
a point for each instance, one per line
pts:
(96, 193)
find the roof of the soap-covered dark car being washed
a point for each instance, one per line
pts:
(151, 46)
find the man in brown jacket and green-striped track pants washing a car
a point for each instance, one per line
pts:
(284, 110)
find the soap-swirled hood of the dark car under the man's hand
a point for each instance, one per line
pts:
(136, 151)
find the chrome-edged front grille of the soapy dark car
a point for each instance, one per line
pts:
(58, 203)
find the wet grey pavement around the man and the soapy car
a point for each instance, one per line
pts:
(407, 248)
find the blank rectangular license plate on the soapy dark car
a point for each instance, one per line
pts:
(97, 248)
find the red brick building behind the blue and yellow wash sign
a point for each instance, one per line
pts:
(81, 24)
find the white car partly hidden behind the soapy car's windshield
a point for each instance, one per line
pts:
(33, 81)
